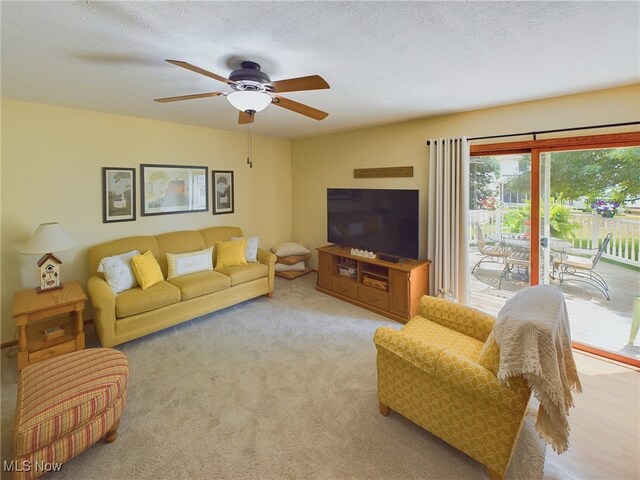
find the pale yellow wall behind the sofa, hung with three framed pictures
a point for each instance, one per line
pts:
(51, 171)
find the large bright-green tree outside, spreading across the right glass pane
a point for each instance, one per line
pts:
(612, 173)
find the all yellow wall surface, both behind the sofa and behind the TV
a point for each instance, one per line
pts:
(51, 161)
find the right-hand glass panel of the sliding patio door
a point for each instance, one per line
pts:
(590, 231)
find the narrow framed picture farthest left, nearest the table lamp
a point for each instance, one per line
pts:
(118, 194)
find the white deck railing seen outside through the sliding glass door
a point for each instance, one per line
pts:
(591, 231)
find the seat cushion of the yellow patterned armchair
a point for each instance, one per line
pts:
(444, 337)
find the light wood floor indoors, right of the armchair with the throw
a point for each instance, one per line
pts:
(605, 425)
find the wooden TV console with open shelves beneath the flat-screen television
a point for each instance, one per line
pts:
(390, 289)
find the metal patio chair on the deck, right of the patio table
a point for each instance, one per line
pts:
(581, 269)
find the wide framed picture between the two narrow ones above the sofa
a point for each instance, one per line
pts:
(173, 189)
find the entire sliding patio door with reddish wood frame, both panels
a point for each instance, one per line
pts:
(566, 213)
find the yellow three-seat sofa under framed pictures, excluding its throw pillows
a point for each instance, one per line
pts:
(137, 312)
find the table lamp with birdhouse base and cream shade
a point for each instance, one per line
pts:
(48, 238)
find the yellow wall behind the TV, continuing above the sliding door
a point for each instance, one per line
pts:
(328, 160)
